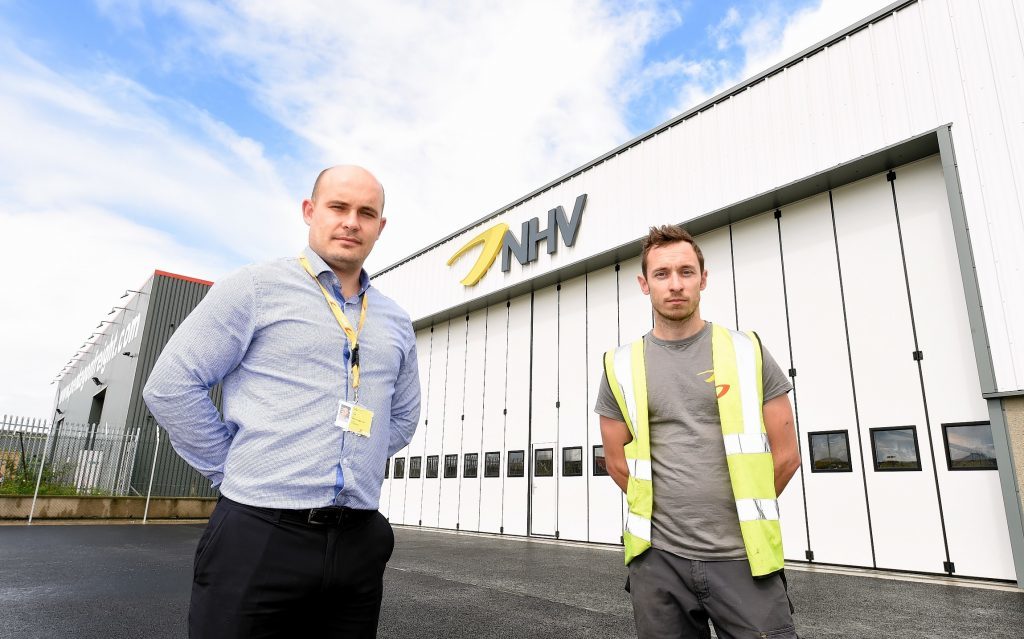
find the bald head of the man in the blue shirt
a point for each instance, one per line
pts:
(346, 219)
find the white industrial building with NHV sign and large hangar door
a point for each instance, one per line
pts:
(861, 207)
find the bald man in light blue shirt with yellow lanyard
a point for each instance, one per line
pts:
(321, 388)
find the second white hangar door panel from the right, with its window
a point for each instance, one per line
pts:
(885, 374)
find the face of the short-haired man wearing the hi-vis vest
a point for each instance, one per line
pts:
(674, 281)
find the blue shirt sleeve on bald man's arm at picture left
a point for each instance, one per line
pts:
(205, 349)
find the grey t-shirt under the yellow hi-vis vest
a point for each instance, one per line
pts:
(695, 510)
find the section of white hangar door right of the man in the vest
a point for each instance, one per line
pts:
(859, 296)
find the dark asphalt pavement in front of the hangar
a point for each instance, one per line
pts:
(133, 581)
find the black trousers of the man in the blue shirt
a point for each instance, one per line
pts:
(260, 574)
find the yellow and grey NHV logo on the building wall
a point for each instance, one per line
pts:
(499, 239)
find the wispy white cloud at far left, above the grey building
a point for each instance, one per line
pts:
(91, 175)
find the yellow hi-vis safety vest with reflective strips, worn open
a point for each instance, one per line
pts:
(737, 362)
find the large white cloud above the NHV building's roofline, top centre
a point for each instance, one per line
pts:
(459, 108)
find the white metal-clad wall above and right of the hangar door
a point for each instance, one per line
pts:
(931, 64)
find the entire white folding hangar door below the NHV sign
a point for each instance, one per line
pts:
(852, 339)
